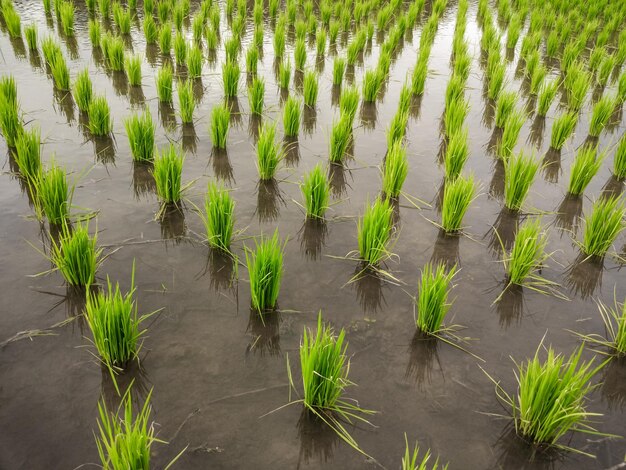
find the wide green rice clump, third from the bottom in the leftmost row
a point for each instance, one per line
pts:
(76, 255)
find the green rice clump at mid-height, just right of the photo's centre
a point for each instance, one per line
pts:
(374, 231)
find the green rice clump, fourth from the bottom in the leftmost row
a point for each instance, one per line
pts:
(53, 194)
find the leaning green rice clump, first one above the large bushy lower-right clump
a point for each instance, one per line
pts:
(527, 253)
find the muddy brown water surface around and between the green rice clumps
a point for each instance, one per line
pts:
(216, 369)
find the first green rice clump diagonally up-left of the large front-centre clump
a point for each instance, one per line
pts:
(265, 268)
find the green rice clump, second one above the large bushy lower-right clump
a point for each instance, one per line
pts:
(519, 174)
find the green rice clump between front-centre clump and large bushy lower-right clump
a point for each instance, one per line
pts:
(432, 299)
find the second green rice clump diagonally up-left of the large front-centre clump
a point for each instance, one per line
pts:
(219, 218)
